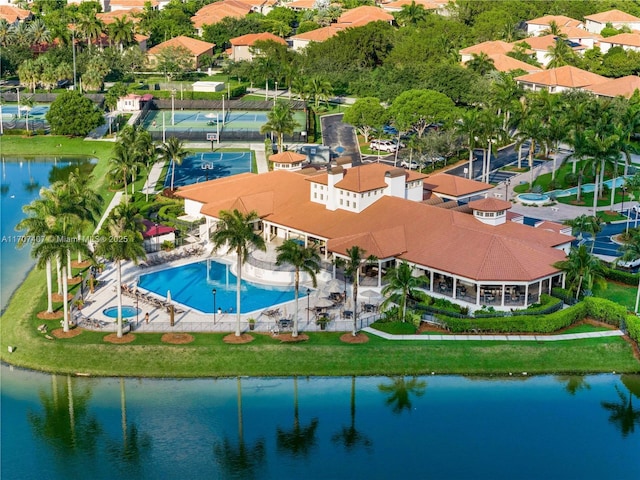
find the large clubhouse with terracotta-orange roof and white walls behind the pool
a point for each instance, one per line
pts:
(474, 253)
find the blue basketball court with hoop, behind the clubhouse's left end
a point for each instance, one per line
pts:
(207, 166)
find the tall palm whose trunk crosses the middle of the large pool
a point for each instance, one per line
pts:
(235, 231)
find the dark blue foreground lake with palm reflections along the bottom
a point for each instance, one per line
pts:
(57, 427)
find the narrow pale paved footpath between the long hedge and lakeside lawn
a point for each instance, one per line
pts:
(502, 338)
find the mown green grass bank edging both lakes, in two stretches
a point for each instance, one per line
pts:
(323, 354)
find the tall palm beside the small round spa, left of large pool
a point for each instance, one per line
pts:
(121, 240)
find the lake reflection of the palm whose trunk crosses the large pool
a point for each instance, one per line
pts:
(241, 460)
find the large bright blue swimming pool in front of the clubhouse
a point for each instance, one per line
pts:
(192, 285)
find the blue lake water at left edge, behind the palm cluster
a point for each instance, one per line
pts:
(21, 181)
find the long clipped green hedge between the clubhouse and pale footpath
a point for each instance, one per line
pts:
(596, 308)
